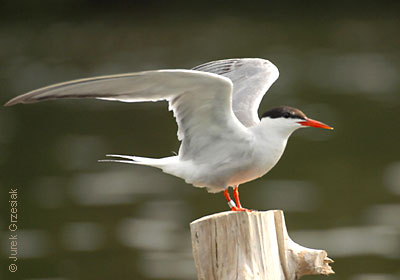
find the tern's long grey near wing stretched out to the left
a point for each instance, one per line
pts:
(201, 102)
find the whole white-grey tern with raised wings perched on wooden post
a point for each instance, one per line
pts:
(224, 142)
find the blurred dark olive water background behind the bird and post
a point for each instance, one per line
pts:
(79, 219)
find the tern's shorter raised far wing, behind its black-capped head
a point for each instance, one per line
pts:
(251, 78)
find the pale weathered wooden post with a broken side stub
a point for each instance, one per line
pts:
(251, 245)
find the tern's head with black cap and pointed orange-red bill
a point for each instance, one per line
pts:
(288, 119)
